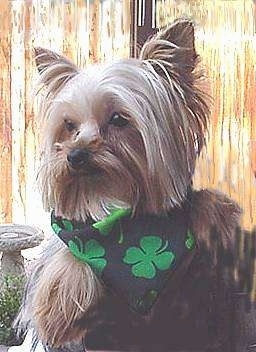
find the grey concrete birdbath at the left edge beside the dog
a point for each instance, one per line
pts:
(13, 239)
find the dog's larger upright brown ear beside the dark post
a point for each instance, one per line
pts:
(173, 46)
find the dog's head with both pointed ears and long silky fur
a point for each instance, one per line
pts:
(126, 134)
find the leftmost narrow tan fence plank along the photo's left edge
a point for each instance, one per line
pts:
(5, 114)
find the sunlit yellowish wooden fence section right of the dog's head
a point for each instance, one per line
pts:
(226, 40)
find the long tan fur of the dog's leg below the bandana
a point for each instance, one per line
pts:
(63, 302)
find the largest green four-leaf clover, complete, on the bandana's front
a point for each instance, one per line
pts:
(150, 256)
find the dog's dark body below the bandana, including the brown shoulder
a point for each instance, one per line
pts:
(195, 311)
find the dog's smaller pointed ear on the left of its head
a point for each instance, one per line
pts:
(55, 70)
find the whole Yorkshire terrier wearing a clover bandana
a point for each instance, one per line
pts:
(120, 143)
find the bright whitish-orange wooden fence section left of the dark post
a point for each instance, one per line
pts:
(84, 30)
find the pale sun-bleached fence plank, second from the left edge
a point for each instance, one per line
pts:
(18, 112)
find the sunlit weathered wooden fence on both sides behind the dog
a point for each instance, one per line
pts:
(99, 30)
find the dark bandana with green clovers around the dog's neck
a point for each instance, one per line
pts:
(134, 257)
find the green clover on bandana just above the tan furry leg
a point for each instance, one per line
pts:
(90, 252)
